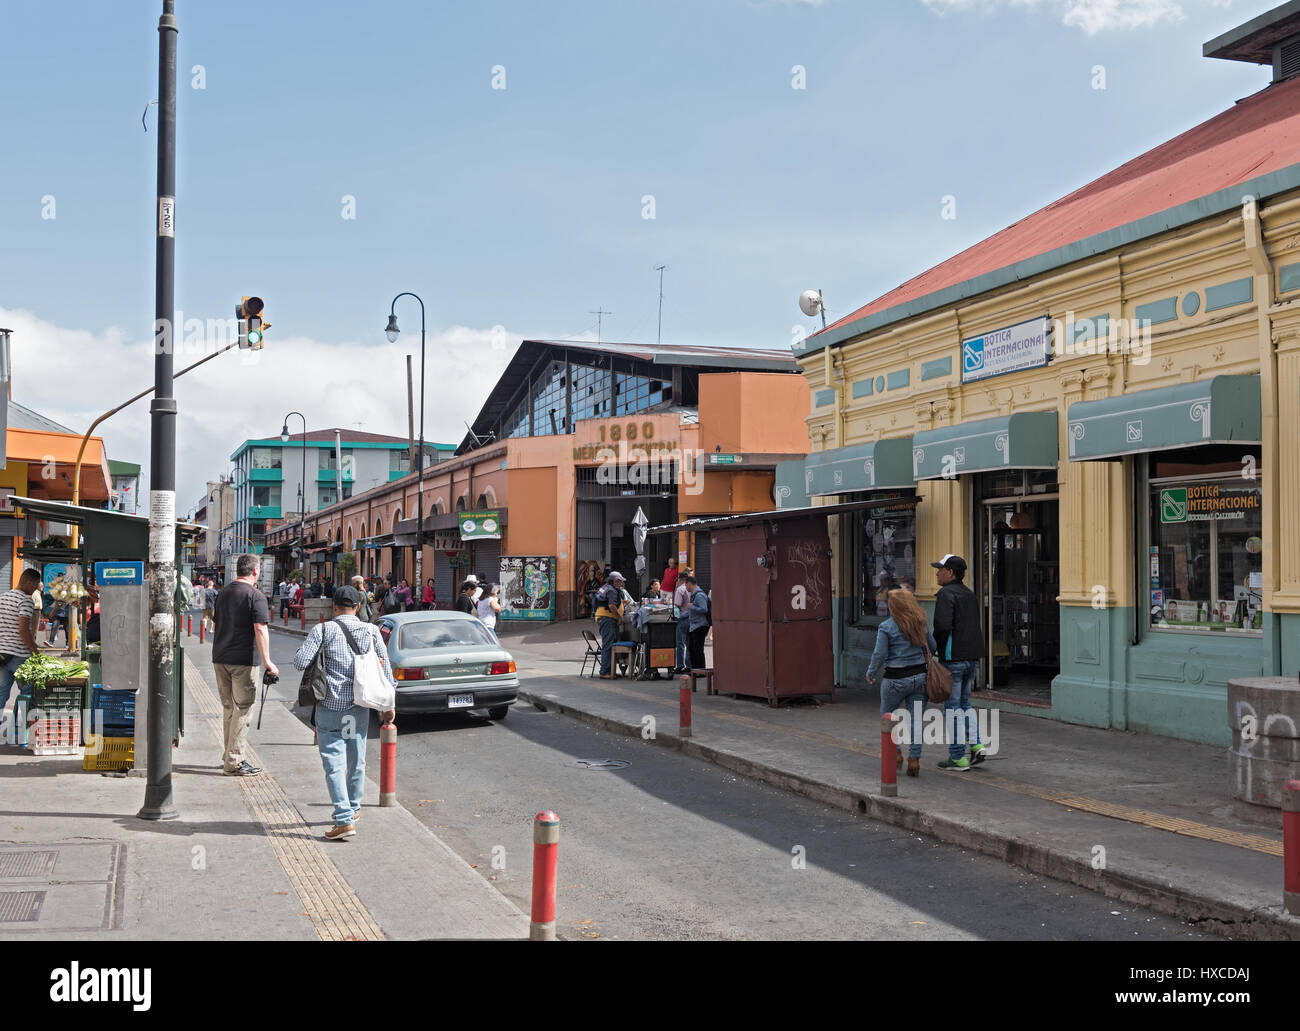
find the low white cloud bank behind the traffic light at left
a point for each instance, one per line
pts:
(73, 376)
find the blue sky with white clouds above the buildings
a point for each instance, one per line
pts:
(522, 166)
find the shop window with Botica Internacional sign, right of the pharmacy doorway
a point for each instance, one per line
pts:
(1207, 553)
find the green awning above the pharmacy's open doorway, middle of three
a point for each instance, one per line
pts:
(1017, 441)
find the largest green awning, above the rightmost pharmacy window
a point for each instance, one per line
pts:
(1220, 410)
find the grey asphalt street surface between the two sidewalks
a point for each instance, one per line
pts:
(671, 848)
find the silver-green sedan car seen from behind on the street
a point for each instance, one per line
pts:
(449, 661)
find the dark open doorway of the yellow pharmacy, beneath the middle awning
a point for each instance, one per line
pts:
(1020, 579)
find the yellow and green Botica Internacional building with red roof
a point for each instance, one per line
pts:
(1100, 410)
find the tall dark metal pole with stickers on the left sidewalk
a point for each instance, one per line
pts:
(162, 560)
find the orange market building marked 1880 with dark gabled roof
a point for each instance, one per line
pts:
(573, 440)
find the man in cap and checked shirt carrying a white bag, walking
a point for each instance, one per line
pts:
(341, 726)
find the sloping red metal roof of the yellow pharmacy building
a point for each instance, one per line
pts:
(1256, 137)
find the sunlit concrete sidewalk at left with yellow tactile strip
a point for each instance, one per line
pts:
(245, 861)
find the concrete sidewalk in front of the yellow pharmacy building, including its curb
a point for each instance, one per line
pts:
(1145, 820)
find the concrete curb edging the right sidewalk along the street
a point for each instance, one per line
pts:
(1210, 913)
